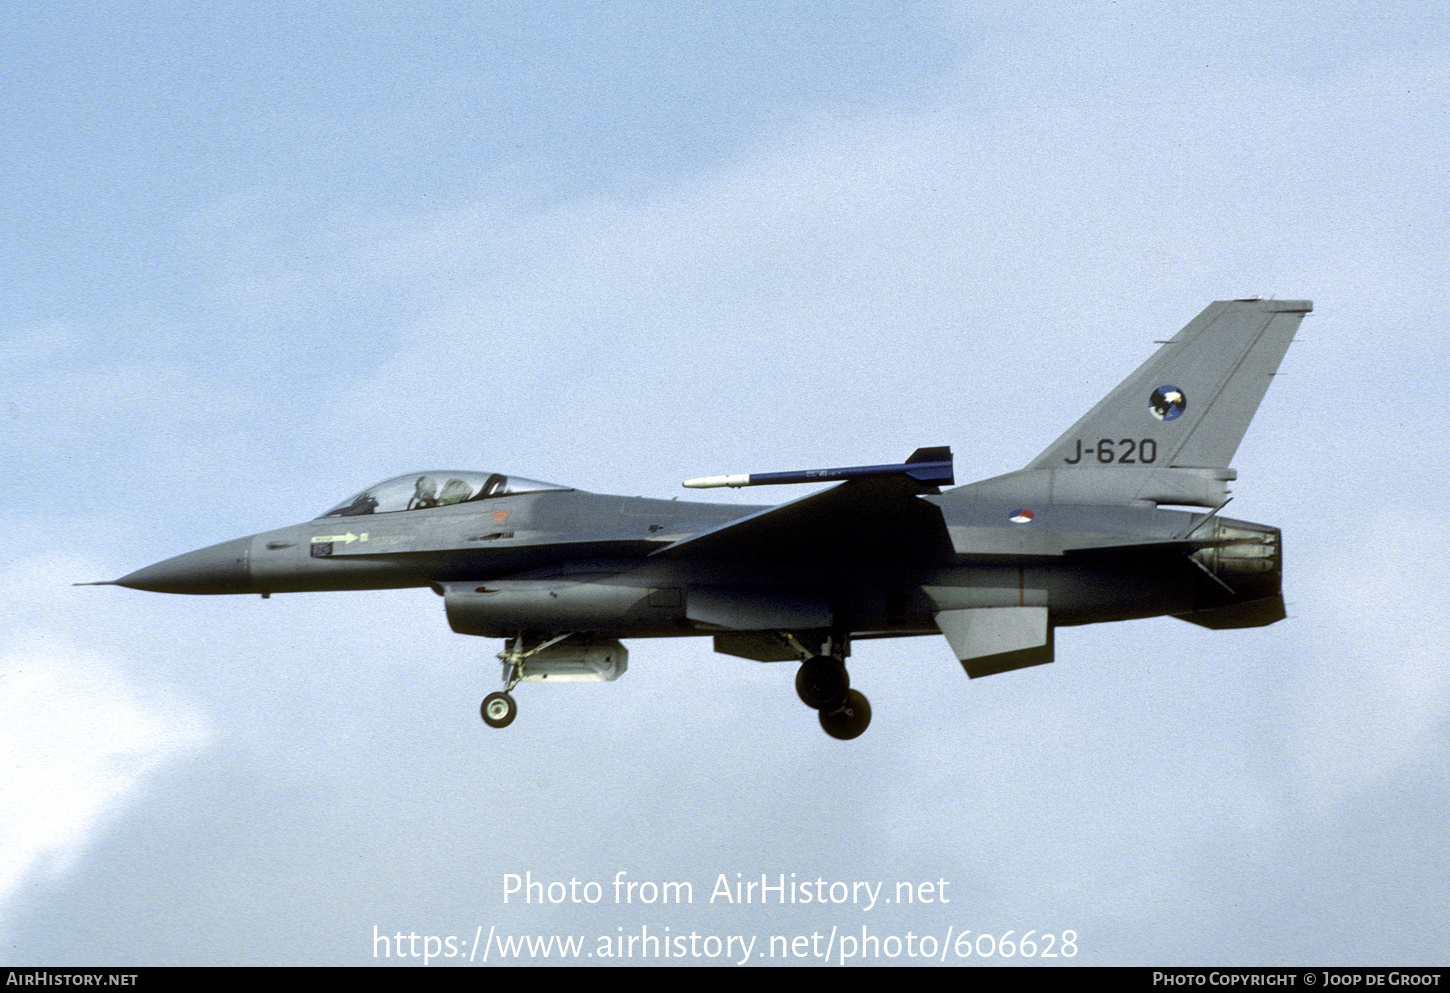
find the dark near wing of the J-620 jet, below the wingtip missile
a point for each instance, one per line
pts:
(859, 520)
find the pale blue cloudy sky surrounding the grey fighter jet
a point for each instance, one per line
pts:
(260, 257)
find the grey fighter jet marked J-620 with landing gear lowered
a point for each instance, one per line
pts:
(1117, 520)
